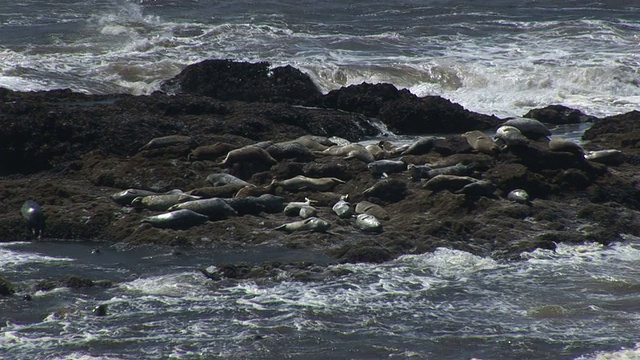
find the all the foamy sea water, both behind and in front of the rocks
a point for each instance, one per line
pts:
(496, 57)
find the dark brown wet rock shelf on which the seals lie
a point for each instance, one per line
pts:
(71, 152)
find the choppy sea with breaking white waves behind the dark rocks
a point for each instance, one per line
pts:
(499, 57)
